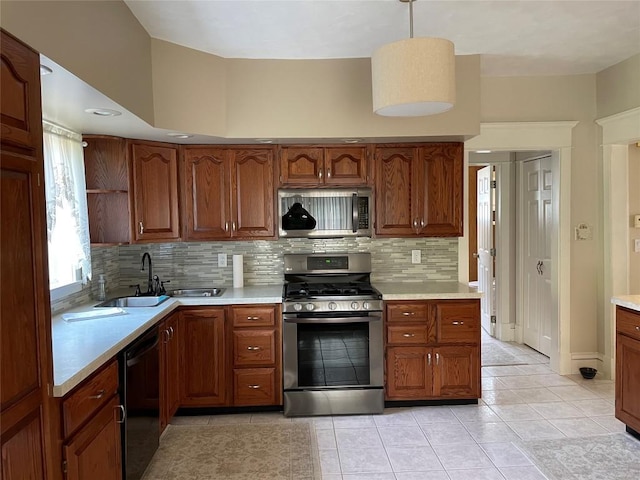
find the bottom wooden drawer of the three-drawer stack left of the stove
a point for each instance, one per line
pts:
(254, 386)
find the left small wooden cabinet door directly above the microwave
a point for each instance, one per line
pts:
(301, 165)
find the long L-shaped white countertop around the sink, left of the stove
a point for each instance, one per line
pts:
(82, 347)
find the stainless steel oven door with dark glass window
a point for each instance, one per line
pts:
(337, 352)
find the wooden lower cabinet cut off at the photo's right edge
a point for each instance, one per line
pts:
(628, 367)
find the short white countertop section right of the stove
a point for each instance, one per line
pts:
(426, 290)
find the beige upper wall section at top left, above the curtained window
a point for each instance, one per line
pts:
(100, 42)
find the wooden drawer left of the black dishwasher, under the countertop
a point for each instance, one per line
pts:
(85, 400)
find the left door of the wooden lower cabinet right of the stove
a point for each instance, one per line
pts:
(408, 373)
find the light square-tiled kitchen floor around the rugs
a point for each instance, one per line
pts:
(474, 442)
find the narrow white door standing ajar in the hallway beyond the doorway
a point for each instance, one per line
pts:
(485, 246)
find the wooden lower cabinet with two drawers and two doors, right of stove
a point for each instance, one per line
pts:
(433, 350)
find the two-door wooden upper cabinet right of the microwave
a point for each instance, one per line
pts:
(419, 190)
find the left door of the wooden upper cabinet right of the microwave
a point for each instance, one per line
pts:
(395, 196)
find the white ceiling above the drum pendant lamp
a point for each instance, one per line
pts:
(540, 37)
